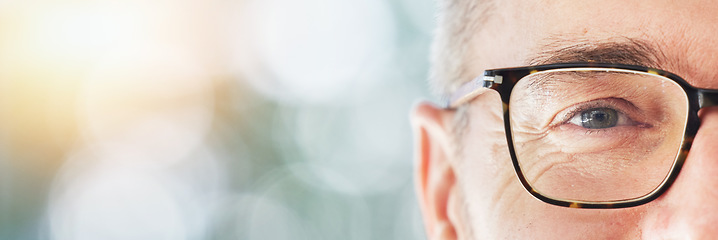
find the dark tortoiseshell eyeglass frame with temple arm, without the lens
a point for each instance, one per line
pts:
(503, 81)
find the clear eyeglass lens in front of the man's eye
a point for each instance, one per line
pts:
(596, 135)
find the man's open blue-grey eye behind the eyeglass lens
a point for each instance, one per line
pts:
(600, 118)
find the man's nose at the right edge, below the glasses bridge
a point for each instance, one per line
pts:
(689, 209)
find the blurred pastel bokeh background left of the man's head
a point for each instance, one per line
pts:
(210, 119)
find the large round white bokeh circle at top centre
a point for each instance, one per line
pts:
(315, 50)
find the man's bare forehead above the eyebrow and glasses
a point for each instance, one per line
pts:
(683, 33)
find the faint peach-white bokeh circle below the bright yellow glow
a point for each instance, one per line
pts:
(157, 102)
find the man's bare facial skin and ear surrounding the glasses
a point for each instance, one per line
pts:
(471, 190)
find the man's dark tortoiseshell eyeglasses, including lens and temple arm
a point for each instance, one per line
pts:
(594, 135)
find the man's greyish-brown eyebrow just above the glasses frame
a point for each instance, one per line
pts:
(620, 50)
